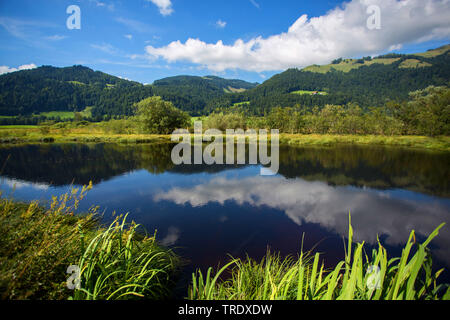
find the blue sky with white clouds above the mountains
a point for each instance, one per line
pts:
(146, 40)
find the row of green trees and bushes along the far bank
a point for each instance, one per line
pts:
(427, 112)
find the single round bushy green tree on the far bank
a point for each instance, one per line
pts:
(158, 116)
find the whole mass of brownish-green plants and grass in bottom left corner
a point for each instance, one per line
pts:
(116, 262)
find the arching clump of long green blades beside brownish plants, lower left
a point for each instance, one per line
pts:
(119, 263)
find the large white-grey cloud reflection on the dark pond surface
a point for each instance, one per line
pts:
(373, 213)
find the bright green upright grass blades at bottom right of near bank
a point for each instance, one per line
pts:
(357, 277)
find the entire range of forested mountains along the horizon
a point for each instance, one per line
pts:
(368, 82)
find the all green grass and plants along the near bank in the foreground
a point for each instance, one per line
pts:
(118, 262)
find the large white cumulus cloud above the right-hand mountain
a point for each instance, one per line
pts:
(342, 32)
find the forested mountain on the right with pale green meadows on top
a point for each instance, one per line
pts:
(366, 81)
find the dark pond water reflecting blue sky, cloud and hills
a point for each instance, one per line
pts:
(206, 212)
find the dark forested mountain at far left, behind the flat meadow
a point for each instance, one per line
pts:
(74, 88)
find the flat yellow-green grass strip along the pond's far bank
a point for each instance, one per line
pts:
(99, 132)
